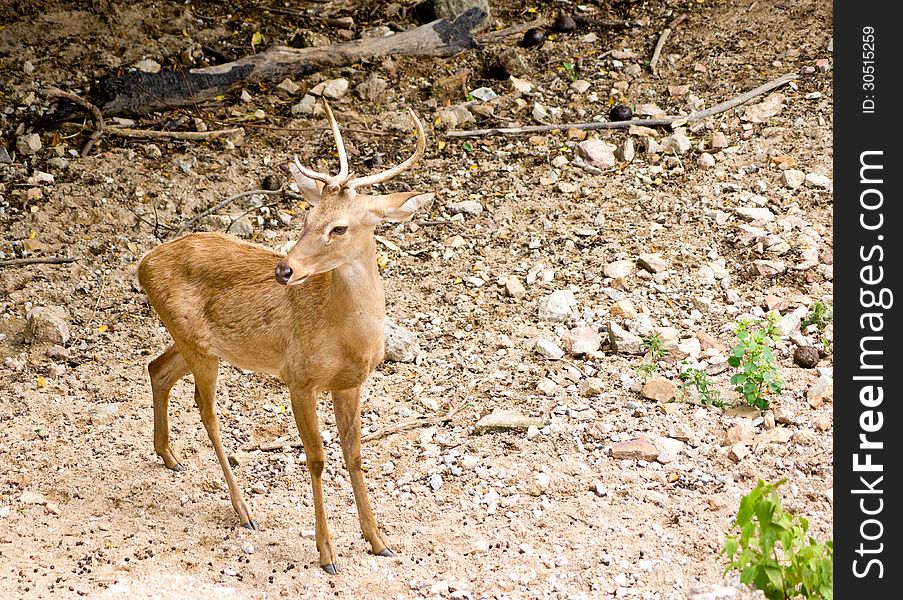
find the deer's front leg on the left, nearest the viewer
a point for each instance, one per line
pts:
(304, 408)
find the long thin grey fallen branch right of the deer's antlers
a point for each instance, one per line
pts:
(663, 122)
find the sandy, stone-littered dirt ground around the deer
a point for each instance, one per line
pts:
(558, 511)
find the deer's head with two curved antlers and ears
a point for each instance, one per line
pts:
(339, 226)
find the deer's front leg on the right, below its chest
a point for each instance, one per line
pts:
(347, 406)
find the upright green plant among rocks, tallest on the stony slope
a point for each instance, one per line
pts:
(753, 356)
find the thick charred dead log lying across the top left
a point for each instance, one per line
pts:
(139, 93)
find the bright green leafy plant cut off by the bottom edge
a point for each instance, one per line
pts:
(773, 551)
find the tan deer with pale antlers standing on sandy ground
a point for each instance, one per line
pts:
(312, 317)
